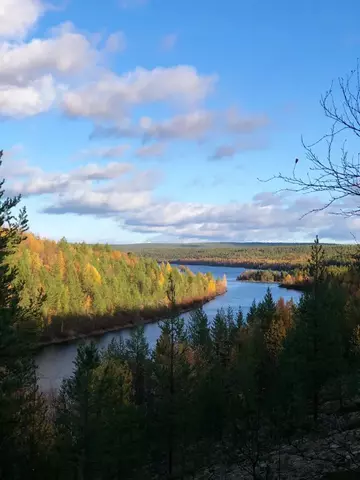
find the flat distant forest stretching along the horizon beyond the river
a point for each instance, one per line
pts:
(261, 256)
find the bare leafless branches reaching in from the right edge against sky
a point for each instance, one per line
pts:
(336, 172)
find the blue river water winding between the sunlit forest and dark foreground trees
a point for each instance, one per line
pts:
(55, 362)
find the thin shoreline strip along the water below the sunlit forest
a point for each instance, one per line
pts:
(131, 324)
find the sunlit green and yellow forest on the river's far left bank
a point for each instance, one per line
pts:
(86, 289)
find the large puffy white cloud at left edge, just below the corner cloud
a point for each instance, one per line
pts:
(35, 74)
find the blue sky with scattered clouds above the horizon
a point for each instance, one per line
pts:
(158, 120)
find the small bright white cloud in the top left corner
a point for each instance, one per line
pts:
(18, 17)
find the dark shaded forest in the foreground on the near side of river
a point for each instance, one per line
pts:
(272, 395)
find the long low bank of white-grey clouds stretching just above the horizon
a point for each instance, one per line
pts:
(128, 196)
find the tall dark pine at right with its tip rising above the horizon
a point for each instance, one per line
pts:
(314, 352)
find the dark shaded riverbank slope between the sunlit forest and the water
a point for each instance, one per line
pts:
(123, 320)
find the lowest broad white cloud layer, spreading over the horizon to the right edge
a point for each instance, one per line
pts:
(265, 217)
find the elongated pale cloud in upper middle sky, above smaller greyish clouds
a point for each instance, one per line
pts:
(111, 96)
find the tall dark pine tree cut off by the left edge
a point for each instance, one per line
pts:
(20, 403)
